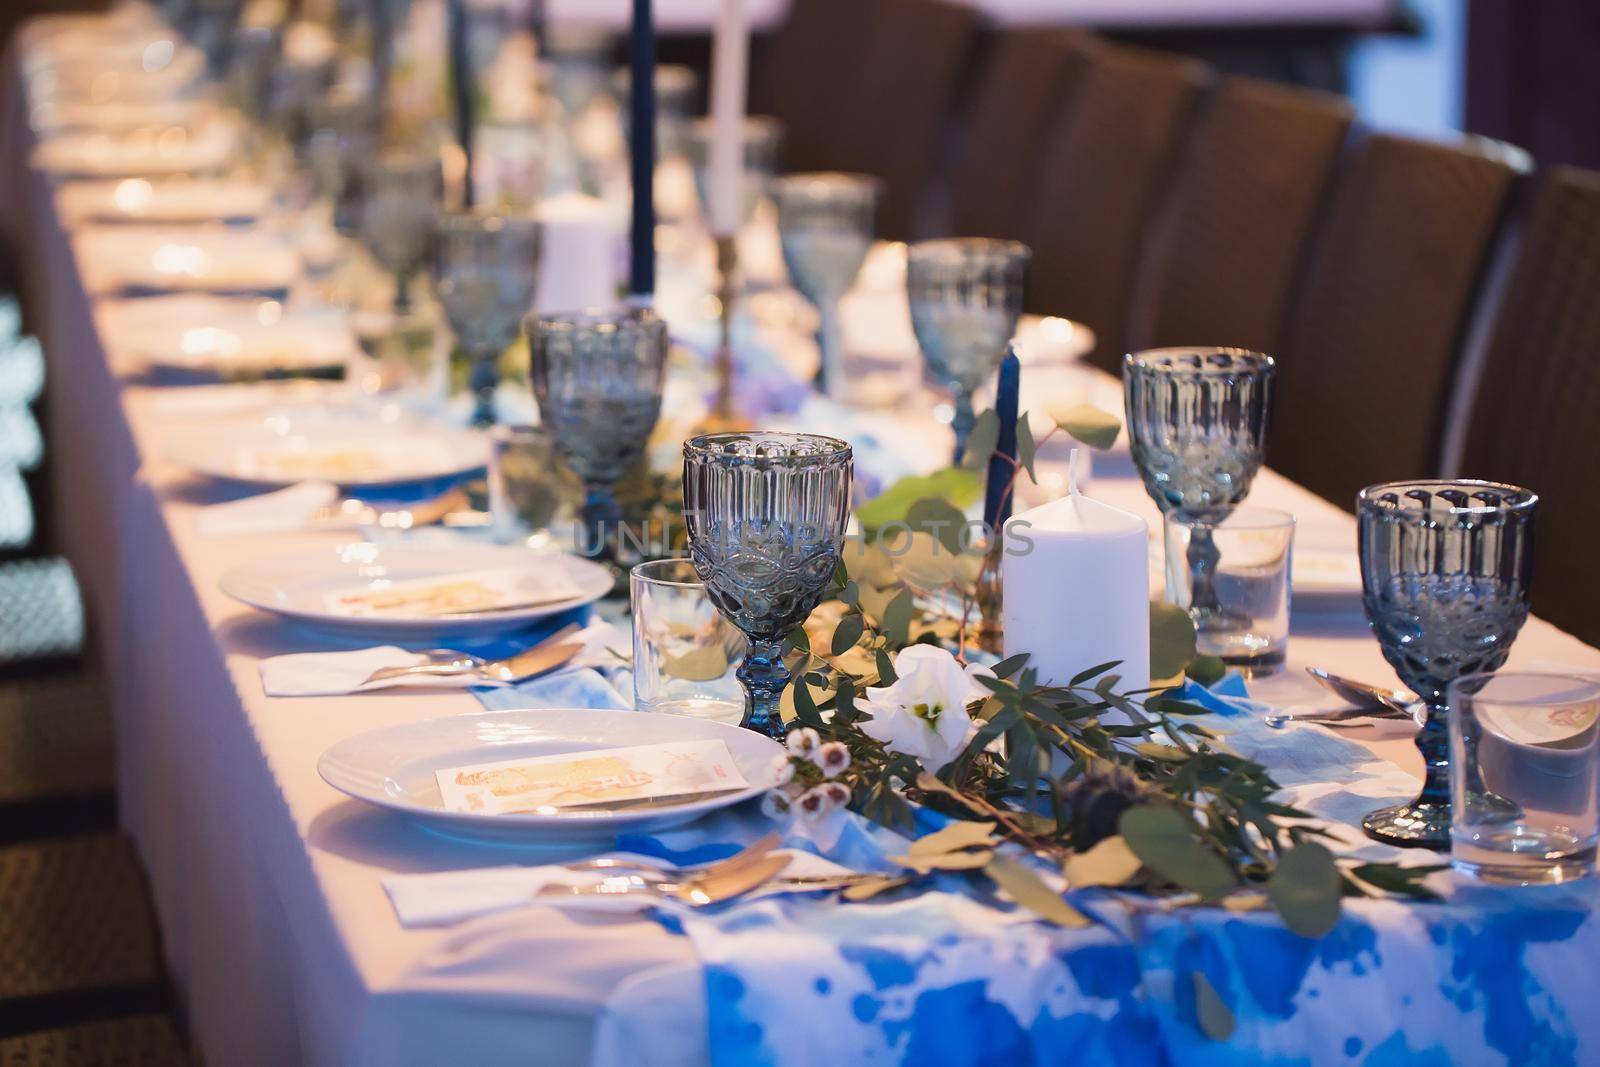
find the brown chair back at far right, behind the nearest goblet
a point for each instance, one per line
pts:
(1534, 414)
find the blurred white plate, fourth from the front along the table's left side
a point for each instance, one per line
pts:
(226, 337)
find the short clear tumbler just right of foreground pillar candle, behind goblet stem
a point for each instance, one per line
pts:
(1252, 583)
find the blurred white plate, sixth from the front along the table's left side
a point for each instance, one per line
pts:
(164, 201)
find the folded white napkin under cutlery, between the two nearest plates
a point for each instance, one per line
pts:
(335, 674)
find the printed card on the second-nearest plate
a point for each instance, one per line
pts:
(457, 594)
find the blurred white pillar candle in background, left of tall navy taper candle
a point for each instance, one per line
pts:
(582, 255)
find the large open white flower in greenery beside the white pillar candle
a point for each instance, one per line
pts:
(924, 714)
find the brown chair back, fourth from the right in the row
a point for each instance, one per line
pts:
(1102, 178)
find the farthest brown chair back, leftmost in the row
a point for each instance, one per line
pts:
(868, 86)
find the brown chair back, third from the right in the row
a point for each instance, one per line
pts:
(1250, 182)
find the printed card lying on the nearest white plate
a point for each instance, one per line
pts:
(604, 777)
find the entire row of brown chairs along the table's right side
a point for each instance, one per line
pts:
(1430, 305)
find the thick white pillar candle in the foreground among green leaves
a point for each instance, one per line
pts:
(1078, 589)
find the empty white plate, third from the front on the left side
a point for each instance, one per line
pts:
(290, 447)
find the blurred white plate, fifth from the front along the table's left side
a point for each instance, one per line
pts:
(185, 260)
